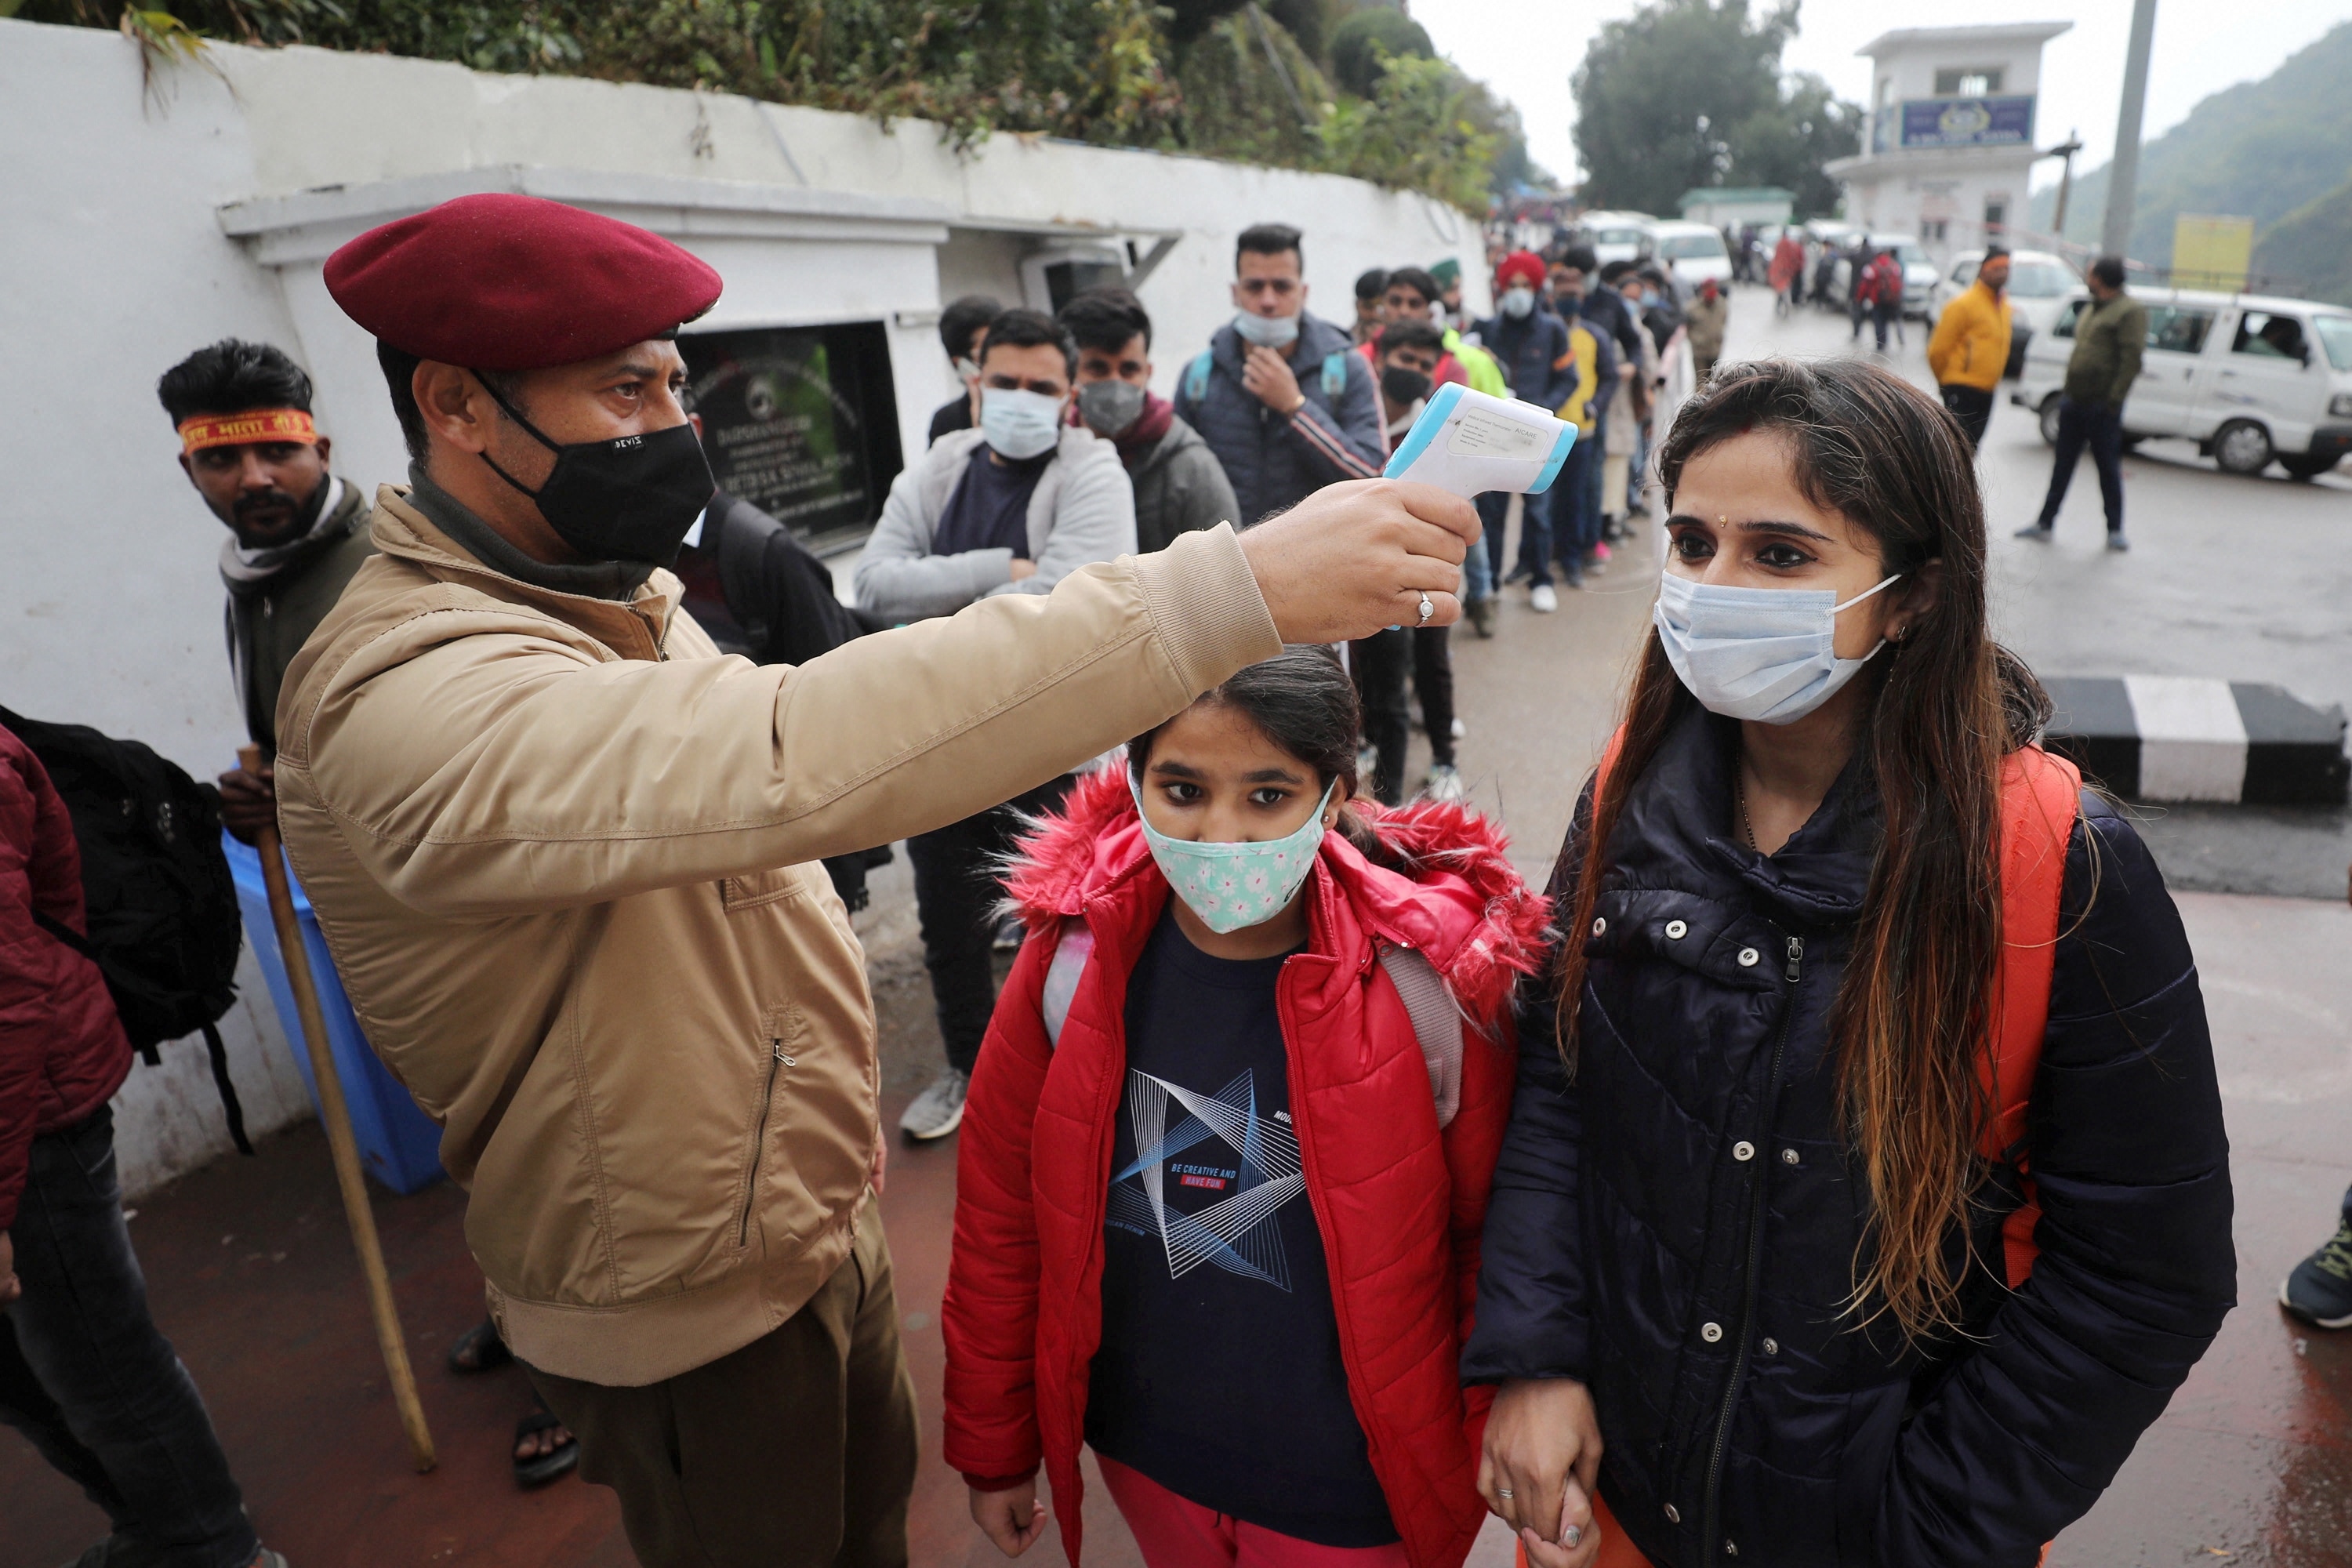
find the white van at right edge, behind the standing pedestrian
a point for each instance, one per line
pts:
(2247, 377)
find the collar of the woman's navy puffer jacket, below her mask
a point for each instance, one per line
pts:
(1683, 822)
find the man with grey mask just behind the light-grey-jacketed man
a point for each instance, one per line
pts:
(1180, 483)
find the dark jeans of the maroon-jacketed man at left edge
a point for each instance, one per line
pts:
(91, 1381)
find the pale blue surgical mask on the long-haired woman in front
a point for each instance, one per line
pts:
(1763, 655)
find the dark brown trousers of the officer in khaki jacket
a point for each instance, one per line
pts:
(796, 1452)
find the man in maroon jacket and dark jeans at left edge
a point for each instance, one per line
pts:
(83, 1372)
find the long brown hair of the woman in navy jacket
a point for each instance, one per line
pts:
(1949, 704)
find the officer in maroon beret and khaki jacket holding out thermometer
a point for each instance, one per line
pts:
(566, 857)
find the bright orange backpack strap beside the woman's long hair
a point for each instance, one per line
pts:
(2040, 803)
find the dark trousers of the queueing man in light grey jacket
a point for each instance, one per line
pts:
(956, 899)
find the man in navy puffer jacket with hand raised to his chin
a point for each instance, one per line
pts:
(1281, 396)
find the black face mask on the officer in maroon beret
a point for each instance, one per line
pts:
(629, 500)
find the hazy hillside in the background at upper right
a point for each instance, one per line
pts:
(2278, 152)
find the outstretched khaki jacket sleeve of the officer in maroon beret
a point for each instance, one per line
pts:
(502, 772)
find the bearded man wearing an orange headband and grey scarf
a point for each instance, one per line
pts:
(248, 445)
